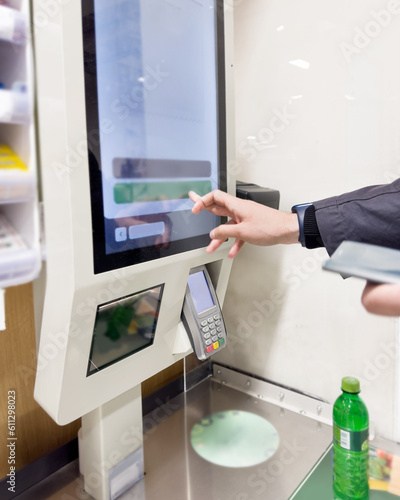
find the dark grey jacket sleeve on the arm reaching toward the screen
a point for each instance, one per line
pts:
(368, 215)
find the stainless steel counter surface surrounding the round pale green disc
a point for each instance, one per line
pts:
(173, 470)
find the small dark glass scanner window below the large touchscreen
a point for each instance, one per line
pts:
(124, 327)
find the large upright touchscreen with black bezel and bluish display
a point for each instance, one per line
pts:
(155, 124)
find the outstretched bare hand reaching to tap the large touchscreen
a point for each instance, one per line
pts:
(250, 221)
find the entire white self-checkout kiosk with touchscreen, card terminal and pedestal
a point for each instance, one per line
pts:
(134, 110)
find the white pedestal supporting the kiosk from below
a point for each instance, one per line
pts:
(111, 446)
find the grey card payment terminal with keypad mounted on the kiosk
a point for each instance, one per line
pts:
(202, 316)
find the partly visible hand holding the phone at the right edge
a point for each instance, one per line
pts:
(382, 299)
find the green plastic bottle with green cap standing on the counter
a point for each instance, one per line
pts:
(350, 444)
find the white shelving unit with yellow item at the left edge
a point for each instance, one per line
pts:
(20, 254)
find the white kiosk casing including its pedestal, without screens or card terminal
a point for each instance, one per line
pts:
(109, 401)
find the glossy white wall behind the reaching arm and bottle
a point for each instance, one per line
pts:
(323, 125)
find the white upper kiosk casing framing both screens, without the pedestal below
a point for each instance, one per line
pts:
(73, 292)
